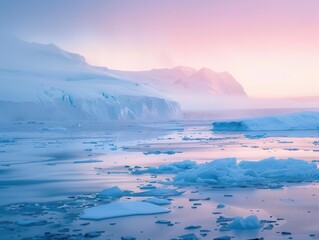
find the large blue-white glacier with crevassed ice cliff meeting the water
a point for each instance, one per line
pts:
(44, 82)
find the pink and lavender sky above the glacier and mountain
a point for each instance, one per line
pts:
(270, 46)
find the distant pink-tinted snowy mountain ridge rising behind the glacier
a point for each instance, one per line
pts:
(186, 79)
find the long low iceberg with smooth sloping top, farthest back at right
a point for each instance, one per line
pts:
(293, 121)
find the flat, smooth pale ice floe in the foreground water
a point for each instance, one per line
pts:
(122, 209)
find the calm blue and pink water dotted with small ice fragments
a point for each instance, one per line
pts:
(51, 172)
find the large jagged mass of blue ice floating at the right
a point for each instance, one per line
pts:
(267, 173)
